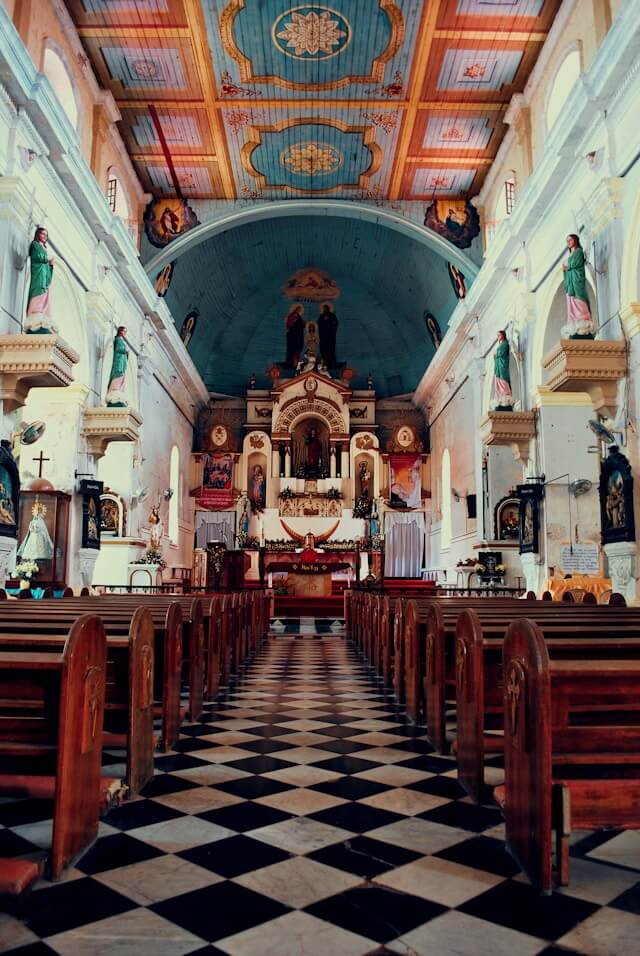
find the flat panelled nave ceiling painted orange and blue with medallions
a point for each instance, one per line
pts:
(367, 99)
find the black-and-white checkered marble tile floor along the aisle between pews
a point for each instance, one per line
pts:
(304, 816)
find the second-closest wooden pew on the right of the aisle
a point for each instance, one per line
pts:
(479, 679)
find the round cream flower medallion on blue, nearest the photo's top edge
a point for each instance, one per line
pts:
(311, 32)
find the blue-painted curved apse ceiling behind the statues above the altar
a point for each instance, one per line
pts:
(386, 281)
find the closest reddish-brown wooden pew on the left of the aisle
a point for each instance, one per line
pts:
(51, 715)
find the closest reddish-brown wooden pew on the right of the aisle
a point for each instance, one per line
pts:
(572, 750)
